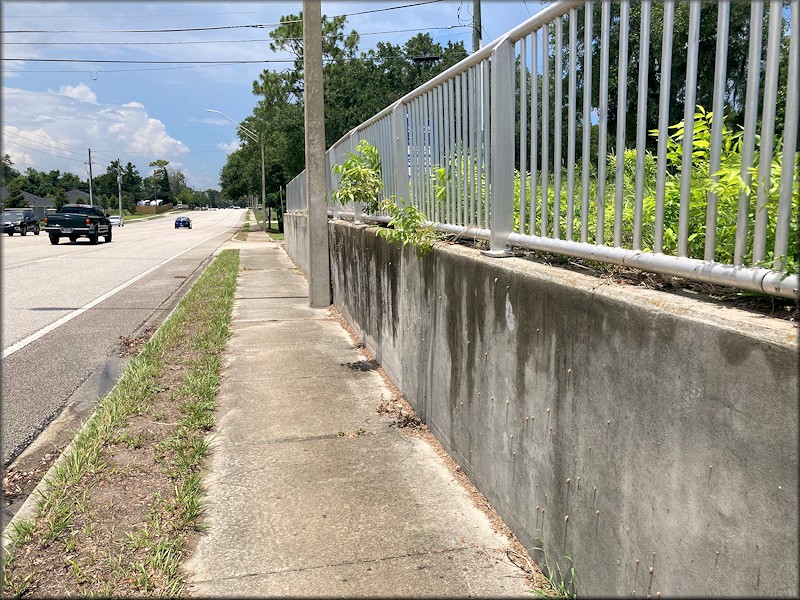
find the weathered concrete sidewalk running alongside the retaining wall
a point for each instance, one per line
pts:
(310, 491)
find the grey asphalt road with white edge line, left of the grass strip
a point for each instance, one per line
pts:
(67, 308)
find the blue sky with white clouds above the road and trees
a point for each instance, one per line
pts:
(139, 111)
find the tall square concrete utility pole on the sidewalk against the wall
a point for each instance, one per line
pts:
(319, 262)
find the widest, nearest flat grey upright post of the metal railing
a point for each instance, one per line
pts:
(502, 147)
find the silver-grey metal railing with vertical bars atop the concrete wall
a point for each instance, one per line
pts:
(480, 149)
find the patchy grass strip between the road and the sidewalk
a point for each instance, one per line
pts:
(121, 504)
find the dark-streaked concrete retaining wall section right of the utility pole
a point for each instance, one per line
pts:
(663, 427)
